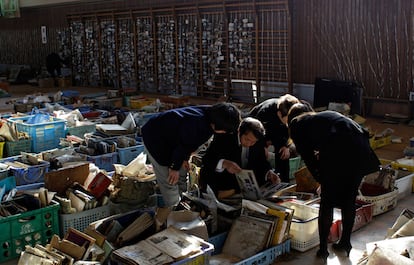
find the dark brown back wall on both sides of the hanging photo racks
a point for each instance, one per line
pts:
(365, 41)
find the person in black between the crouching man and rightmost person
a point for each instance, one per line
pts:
(273, 114)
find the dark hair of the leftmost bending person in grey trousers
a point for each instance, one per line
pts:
(225, 116)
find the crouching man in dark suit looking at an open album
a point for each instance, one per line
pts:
(225, 157)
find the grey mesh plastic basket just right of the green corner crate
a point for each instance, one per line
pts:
(81, 220)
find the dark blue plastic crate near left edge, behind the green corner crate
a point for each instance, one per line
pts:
(29, 174)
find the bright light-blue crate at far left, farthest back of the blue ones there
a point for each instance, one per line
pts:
(45, 135)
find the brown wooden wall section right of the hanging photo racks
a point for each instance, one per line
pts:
(364, 41)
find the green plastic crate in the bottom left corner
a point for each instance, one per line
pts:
(29, 228)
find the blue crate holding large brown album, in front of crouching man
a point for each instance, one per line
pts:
(265, 257)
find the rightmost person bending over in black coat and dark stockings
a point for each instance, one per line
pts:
(337, 152)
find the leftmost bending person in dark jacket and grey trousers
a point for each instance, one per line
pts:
(170, 138)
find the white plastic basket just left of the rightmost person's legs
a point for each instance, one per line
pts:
(304, 226)
